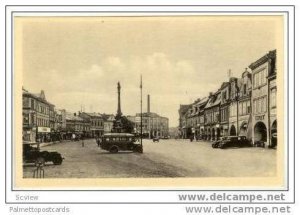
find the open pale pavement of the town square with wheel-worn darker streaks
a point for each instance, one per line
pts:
(167, 158)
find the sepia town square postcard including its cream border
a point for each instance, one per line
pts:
(149, 101)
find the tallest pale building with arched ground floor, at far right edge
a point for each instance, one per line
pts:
(264, 98)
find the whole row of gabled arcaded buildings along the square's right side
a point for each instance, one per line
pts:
(245, 106)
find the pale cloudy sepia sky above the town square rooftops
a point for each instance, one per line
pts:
(78, 61)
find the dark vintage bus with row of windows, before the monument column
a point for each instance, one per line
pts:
(114, 142)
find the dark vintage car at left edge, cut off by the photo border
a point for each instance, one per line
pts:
(33, 154)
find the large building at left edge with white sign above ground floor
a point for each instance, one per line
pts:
(36, 117)
